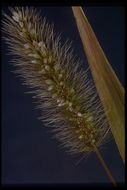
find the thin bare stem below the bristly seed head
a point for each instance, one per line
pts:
(105, 166)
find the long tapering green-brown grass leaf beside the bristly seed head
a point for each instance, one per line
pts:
(109, 88)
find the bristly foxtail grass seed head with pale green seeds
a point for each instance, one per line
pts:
(66, 98)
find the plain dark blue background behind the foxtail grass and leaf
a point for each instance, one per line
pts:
(29, 154)
